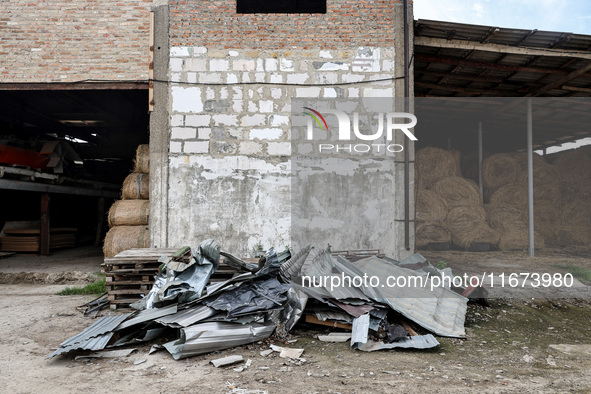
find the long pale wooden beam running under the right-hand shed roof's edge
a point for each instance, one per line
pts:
(478, 46)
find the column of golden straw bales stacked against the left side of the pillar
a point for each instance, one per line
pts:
(129, 217)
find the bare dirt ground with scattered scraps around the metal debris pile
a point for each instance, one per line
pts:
(510, 347)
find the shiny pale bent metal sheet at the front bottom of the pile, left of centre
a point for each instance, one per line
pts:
(204, 338)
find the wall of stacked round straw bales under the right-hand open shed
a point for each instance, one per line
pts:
(562, 200)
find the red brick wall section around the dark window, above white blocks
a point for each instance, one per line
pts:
(347, 23)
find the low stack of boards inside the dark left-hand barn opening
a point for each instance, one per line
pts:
(28, 240)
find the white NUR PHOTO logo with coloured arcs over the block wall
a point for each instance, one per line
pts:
(391, 120)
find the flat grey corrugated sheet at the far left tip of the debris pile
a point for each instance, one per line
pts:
(94, 337)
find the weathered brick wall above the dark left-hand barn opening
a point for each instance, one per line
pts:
(66, 40)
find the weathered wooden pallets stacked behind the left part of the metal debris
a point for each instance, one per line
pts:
(130, 274)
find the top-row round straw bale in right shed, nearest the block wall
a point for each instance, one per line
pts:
(432, 164)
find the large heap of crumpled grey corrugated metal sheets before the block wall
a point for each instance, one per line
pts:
(271, 297)
